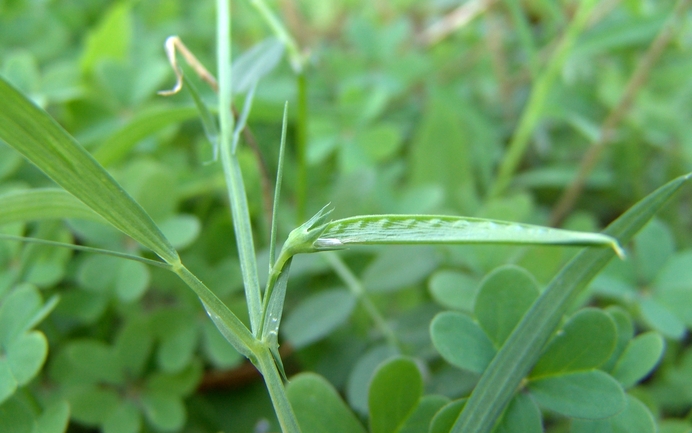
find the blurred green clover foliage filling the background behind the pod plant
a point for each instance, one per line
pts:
(398, 121)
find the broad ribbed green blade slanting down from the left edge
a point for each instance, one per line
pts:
(42, 141)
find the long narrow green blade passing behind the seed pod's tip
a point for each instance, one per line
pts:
(513, 362)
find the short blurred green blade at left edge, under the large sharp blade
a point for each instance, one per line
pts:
(43, 203)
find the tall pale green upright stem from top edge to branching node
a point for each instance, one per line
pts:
(234, 178)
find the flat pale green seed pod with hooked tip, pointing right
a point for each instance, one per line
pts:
(428, 229)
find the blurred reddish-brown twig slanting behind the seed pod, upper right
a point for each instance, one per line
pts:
(636, 82)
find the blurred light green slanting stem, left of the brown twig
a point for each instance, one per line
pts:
(539, 94)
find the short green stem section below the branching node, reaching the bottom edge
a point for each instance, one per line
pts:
(277, 392)
